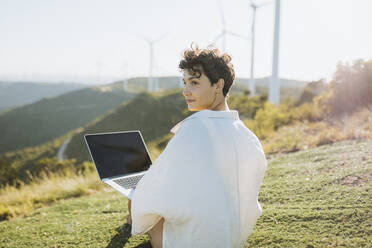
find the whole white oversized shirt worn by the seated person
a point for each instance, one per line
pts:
(205, 184)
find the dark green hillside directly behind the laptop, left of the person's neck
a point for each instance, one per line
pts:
(153, 115)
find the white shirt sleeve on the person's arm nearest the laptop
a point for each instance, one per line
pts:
(167, 188)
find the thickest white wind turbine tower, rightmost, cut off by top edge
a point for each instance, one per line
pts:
(274, 90)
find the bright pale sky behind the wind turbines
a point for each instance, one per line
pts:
(104, 38)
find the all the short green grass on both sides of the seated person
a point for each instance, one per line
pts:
(313, 198)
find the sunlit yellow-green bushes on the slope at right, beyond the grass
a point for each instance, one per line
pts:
(324, 114)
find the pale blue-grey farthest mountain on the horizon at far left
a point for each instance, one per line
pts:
(21, 93)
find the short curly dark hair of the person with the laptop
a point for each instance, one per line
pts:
(214, 64)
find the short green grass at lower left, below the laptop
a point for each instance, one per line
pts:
(89, 221)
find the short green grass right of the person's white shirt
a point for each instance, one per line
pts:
(317, 198)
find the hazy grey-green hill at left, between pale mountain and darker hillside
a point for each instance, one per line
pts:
(48, 118)
